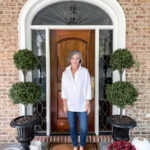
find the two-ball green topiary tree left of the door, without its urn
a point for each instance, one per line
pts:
(25, 92)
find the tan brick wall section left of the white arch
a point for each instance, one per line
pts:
(9, 12)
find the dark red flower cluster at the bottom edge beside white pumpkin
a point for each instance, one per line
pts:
(121, 145)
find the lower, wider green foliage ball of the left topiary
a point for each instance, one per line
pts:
(25, 93)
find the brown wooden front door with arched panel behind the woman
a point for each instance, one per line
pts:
(62, 42)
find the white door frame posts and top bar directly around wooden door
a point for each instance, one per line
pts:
(96, 69)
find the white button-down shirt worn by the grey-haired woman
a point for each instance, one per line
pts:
(76, 90)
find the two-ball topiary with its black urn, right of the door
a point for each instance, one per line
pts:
(121, 93)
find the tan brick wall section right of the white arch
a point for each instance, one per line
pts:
(137, 14)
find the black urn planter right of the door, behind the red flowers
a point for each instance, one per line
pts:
(121, 127)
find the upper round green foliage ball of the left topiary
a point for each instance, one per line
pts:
(25, 60)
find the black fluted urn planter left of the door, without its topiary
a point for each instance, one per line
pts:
(25, 131)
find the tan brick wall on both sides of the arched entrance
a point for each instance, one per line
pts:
(137, 14)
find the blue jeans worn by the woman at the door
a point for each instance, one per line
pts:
(83, 118)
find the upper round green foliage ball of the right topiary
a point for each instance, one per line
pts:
(121, 59)
